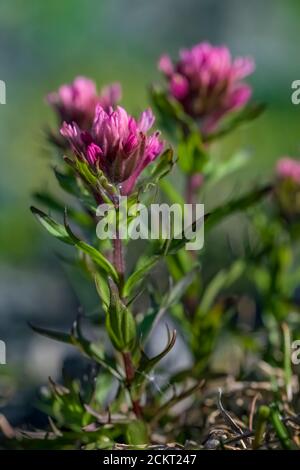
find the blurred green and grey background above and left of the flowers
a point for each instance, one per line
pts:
(44, 44)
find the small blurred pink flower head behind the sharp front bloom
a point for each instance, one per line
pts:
(77, 101)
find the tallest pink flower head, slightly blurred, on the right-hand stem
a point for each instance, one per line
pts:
(208, 82)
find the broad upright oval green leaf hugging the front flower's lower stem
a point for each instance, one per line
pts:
(120, 323)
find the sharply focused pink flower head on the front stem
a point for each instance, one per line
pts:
(117, 144)
